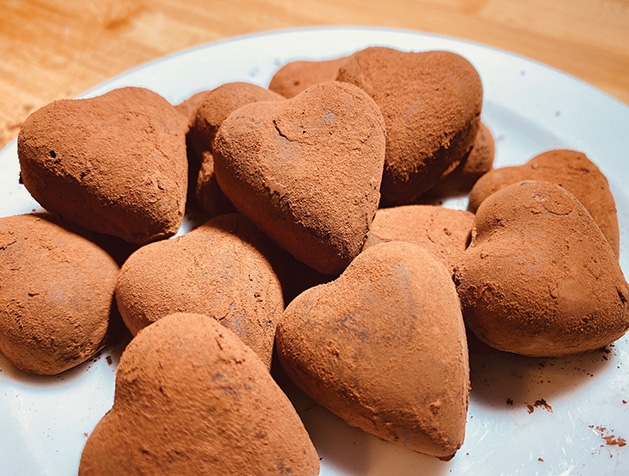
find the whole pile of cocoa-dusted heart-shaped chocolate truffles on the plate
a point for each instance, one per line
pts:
(321, 246)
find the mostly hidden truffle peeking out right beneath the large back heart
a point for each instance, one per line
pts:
(474, 165)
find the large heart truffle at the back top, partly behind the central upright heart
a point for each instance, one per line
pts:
(431, 103)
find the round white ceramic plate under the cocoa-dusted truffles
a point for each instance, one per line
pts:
(566, 416)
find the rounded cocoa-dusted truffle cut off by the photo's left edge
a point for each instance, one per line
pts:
(56, 294)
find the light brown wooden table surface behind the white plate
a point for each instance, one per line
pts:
(60, 48)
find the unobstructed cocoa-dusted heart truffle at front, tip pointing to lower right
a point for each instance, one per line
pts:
(384, 348)
